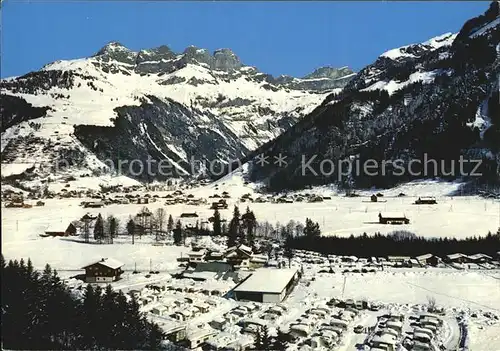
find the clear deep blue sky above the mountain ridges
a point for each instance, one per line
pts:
(277, 37)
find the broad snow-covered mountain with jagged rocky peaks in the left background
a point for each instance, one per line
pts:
(126, 105)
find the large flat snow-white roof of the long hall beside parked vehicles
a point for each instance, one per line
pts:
(267, 280)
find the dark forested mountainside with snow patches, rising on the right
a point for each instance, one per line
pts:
(437, 100)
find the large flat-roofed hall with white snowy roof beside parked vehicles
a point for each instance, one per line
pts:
(266, 285)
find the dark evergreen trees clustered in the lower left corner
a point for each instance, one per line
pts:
(40, 313)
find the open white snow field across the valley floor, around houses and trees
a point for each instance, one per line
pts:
(470, 291)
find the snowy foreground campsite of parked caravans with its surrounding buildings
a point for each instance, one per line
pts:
(228, 300)
